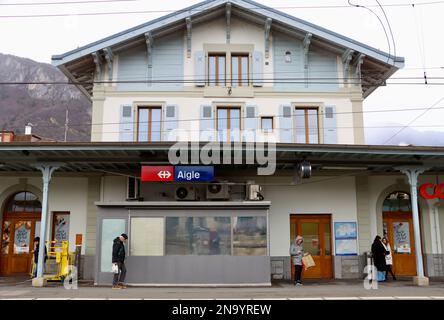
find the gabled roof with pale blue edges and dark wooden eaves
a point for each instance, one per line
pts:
(78, 63)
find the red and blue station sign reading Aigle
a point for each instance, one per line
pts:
(177, 174)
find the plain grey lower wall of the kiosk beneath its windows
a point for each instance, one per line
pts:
(195, 270)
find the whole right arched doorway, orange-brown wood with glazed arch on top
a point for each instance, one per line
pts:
(398, 228)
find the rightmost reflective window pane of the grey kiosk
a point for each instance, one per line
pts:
(250, 236)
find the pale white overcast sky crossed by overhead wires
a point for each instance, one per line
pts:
(417, 32)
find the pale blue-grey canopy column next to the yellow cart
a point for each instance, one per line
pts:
(47, 171)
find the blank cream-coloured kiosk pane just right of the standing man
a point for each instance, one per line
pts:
(147, 236)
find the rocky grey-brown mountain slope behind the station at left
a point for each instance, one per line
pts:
(42, 105)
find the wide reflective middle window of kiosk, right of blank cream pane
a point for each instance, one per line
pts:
(198, 235)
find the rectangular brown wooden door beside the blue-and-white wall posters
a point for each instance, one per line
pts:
(316, 231)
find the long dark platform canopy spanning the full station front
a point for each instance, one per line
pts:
(121, 158)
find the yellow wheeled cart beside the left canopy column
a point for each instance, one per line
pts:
(59, 259)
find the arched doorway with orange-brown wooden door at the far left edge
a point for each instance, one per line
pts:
(21, 223)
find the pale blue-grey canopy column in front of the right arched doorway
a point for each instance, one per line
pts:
(412, 174)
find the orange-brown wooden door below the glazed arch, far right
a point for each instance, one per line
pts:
(398, 228)
